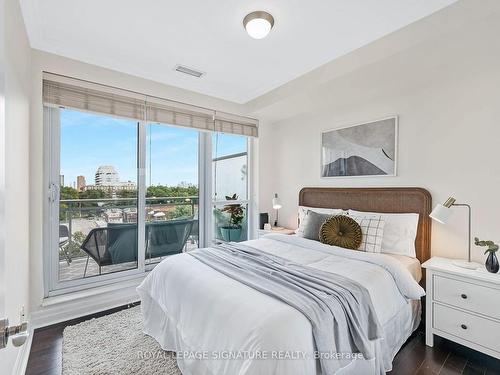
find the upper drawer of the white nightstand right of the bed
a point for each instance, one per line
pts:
(480, 299)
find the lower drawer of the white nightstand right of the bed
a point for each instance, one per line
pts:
(468, 327)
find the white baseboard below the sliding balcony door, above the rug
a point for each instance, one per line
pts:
(71, 308)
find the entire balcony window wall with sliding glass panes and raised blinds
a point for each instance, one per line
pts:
(129, 182)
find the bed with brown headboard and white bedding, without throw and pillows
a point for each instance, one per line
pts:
(218, 325)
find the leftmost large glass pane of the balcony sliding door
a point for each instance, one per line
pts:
(97, 205)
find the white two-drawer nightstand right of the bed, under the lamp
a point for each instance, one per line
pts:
(462, 305)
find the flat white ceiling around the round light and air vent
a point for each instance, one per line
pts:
(148, 38)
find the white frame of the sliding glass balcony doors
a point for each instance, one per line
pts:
(51, 196)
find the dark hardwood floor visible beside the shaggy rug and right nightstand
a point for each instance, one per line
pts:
(414, 358)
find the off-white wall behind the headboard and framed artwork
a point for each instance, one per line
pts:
(442, 77)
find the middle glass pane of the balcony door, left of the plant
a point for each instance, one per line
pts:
(172, 191)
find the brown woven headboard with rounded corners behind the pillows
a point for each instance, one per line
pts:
(386, 200)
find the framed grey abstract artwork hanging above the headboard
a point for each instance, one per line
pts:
(367, 149)
